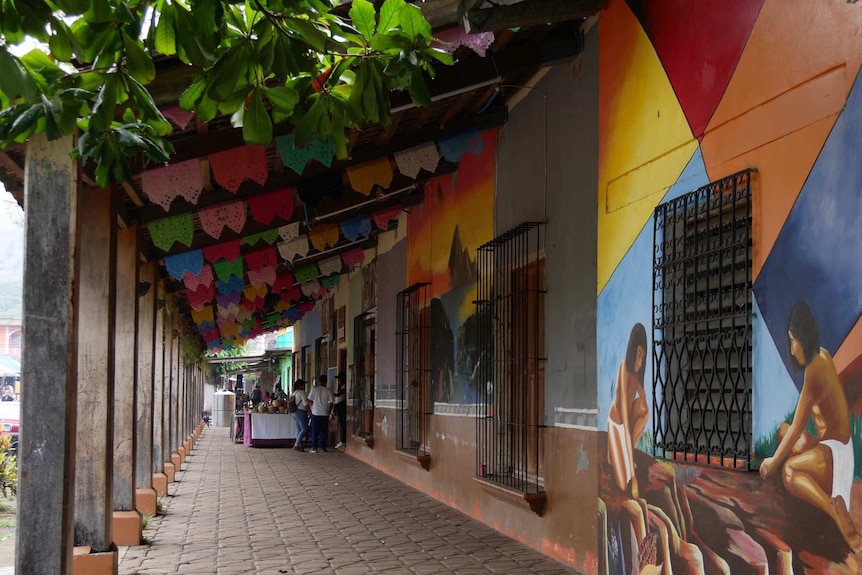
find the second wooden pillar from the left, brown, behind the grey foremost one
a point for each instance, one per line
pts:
(95, 261)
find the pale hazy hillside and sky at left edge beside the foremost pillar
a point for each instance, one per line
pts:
(11, 256)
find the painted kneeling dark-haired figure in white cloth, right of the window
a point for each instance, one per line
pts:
(817, 470)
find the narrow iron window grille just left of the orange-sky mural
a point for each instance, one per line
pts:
(414, 369)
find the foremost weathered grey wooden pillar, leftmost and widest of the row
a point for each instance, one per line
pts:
(46, 452)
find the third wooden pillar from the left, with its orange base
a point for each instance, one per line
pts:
(126, 519)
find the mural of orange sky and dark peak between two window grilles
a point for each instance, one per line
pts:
(456, 217)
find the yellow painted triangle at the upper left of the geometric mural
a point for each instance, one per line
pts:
(644, 139)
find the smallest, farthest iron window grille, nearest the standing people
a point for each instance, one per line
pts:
(364, 359)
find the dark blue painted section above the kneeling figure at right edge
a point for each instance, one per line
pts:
(818, 254)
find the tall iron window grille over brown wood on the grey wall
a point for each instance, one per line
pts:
(510, 367)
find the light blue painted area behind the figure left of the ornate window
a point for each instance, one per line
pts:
(627, 297)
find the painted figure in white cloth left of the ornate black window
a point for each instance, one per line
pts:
(628, 413)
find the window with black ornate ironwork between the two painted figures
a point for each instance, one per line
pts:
(702, 325)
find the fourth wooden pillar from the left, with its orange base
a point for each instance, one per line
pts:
(145, 494)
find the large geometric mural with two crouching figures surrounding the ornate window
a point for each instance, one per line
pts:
(765, 84)
